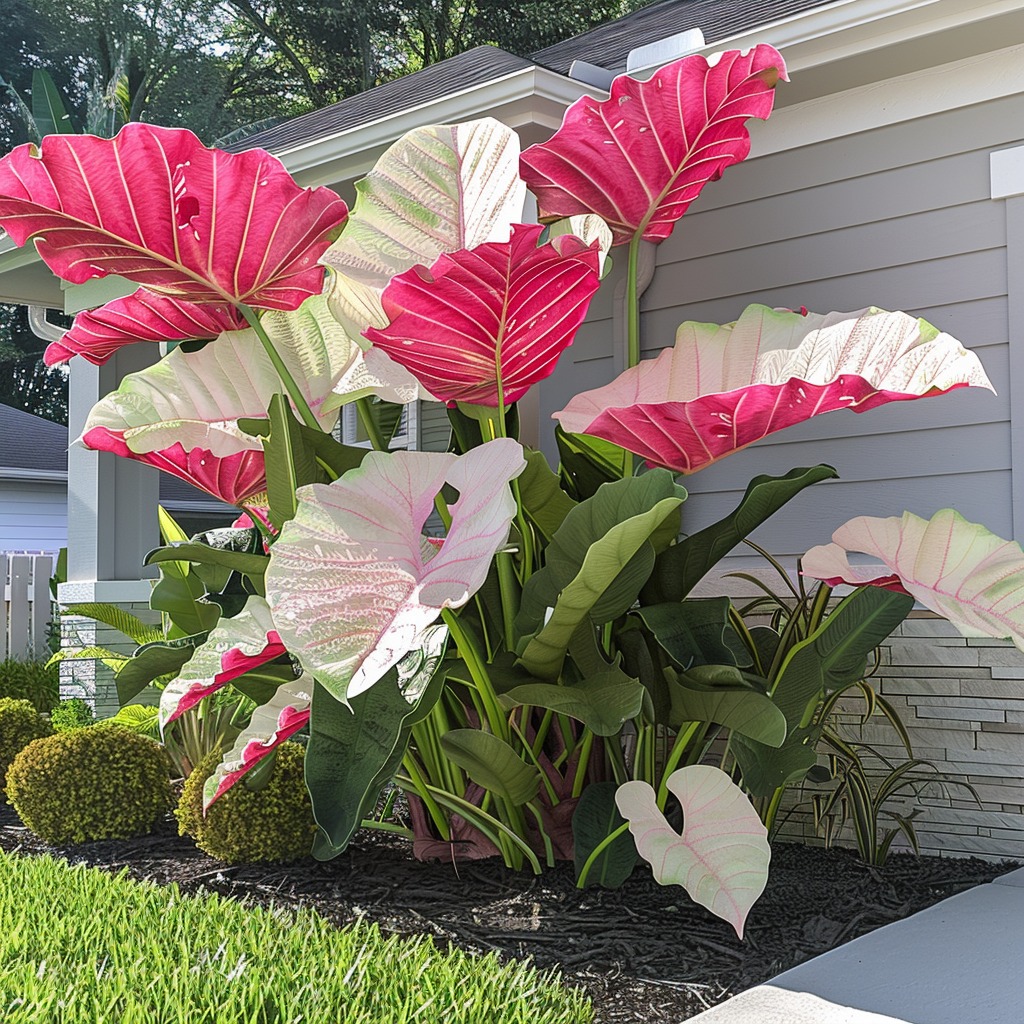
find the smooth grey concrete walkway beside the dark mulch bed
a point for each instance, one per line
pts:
(960, 962)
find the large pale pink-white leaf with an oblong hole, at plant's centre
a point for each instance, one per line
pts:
(352, 586)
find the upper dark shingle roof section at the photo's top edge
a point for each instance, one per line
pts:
(609, 46)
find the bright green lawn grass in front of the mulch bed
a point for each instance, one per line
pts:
(81, 947)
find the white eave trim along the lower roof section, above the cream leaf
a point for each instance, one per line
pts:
(532, 96)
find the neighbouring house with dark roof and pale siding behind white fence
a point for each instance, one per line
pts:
(34, 488)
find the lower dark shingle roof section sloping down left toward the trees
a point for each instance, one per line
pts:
(461, 72)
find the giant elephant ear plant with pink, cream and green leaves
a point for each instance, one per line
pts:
(517, 648)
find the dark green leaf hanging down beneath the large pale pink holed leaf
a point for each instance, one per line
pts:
(354, 751)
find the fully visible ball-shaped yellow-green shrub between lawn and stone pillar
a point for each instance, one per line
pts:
(91, 785)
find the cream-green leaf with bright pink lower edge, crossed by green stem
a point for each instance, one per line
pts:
(181, 415)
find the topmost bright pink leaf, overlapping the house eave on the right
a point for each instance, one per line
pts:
(643, 156)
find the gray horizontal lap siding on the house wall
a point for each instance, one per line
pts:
(899, 218)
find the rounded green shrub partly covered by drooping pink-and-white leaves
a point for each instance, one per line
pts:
(275, 824)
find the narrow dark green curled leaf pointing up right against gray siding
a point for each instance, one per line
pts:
(681, 568)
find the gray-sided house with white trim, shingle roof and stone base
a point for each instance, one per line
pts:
(891, 174)
